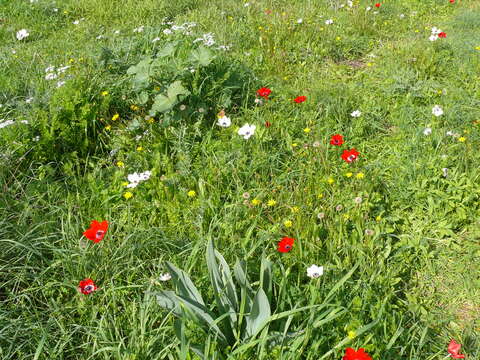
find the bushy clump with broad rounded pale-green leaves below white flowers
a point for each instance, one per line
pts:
(184, 81)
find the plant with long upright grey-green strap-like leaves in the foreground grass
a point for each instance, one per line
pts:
(240, 314)
